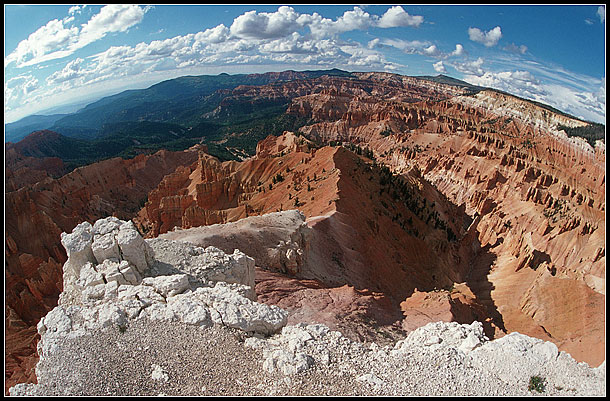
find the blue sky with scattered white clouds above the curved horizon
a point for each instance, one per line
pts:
(58, 55)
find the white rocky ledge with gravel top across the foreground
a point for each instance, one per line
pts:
(161, 317)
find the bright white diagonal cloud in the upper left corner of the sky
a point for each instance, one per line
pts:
(57, 40)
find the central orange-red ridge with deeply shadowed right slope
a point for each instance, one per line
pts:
(372, 234)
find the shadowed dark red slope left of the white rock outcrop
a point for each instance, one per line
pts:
(37, 214)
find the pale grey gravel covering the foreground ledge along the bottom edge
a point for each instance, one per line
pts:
(152, 358)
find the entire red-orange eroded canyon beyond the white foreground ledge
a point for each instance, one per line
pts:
(417, 200)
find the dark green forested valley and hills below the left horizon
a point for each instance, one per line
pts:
(131, 138)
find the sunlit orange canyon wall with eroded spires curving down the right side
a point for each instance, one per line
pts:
(503, 159)
